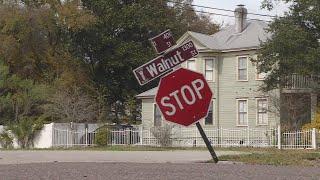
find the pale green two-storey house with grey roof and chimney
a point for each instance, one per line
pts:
(224, 59)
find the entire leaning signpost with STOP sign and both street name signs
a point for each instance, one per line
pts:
(183, 96)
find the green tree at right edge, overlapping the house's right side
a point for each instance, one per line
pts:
(294, 44)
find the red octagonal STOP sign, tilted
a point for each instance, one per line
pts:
(184, 97)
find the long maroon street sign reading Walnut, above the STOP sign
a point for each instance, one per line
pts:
(162, 64)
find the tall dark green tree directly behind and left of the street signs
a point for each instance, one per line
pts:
(118, 42)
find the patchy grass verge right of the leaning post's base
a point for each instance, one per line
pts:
(277, 157)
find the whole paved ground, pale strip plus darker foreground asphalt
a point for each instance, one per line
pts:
(134, 165)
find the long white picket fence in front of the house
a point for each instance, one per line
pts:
(190, 137)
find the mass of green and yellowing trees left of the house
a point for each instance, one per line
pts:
(48, 47)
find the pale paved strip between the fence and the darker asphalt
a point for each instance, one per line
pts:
(23, 157)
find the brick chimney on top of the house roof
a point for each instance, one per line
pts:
(240, 14)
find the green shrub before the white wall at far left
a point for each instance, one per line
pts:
(25, 130)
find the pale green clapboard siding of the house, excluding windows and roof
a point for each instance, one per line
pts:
(226, 89)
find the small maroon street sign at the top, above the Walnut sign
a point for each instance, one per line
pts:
(163, 41)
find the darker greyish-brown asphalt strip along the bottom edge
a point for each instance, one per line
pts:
(153, 171)
